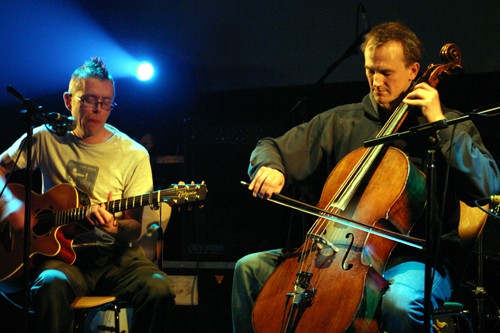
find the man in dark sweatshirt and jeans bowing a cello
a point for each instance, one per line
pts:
(392, 54)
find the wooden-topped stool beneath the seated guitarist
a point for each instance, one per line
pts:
(89, 303)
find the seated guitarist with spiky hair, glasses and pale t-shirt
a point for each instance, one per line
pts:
(106, 164)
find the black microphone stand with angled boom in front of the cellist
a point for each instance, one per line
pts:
(432, 217)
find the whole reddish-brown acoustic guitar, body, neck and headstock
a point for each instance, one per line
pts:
(57, 217)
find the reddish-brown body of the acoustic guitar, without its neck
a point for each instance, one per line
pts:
(47, 238)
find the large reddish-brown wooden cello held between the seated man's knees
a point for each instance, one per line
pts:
(334, 282)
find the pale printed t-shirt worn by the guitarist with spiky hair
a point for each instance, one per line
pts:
(119, 165)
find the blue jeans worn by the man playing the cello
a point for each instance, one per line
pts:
(402, 305)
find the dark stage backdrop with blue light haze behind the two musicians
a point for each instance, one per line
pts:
(230, 72)
